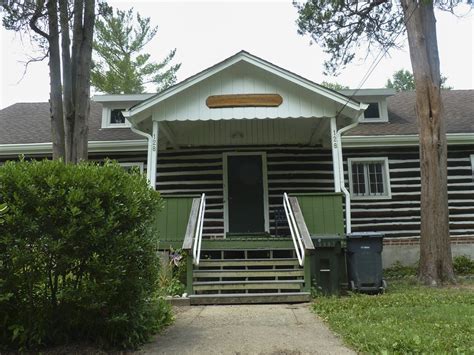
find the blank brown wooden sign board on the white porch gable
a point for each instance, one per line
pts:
(244, 100)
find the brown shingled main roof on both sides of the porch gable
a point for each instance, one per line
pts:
(27, 123)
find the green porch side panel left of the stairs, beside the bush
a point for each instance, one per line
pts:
(172, 220)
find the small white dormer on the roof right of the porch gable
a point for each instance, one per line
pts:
(377, 101)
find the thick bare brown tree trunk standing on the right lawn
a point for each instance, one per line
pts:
(435, 248)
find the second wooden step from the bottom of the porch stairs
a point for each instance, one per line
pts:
(248, 285)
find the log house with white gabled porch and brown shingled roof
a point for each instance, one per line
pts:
(247, 153)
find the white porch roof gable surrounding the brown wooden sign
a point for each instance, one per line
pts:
(243, 73)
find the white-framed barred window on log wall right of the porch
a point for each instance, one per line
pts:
(369, 178)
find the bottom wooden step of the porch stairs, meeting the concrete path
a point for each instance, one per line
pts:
(248, 298)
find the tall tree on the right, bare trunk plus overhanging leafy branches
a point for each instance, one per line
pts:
(341, 27)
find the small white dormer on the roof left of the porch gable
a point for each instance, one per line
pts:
(113, 105)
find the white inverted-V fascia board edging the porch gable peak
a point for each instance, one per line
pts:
(243, 56)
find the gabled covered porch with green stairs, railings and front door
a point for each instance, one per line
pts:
(248, 159)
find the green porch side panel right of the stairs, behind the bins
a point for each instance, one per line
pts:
(322, 213)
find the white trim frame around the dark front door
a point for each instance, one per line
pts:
(266, 213)
